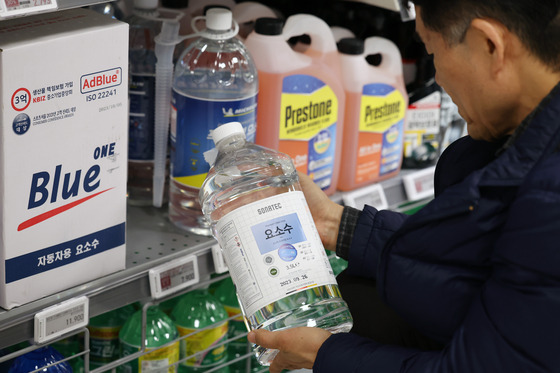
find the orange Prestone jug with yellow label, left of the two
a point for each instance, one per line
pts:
(301, 97)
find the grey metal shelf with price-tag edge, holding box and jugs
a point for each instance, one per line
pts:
(151, 241)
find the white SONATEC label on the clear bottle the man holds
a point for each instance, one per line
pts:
(273, 250)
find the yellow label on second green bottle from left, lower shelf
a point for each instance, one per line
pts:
(158, 361)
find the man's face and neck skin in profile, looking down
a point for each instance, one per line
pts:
(464, 72)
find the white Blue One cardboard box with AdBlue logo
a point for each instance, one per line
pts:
(63, 152)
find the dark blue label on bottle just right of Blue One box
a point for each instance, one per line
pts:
(141, 117)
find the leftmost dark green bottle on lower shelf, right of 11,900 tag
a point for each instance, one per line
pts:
(104, 335)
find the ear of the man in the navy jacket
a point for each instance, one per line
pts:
(492, 38)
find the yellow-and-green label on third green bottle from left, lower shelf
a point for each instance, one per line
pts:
(201, 341)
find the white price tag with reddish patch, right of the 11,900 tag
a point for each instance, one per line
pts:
(171, 277)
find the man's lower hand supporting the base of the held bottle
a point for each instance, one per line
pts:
(297, 346)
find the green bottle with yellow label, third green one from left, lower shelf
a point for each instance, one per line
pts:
(196, 310)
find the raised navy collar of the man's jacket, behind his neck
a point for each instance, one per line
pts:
(537, 135)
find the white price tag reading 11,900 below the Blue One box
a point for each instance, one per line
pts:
(61, 318)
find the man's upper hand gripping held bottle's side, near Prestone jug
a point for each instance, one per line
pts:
(326, 213)
